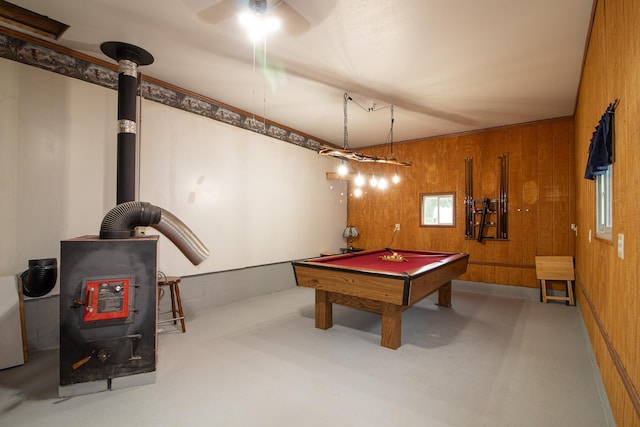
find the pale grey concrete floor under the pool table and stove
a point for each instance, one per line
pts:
(487, 361)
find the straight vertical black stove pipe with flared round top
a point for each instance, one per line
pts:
(129, 57)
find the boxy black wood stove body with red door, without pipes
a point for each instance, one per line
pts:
(107, 313)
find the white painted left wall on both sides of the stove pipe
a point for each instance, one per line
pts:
(251, 199)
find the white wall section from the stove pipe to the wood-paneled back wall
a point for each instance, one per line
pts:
(251, 199)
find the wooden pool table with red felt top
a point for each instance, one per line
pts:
(379, 282)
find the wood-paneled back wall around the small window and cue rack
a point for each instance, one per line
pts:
(438, 165)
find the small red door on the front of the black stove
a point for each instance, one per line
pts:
(106, 299)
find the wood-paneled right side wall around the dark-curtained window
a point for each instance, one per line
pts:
(611, 68)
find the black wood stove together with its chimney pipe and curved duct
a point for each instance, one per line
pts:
(108, 283)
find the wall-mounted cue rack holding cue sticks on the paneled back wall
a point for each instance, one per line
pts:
(486, 218)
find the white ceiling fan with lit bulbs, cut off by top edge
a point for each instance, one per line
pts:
(292, 22)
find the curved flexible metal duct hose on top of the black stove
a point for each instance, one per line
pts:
(120, 222)
